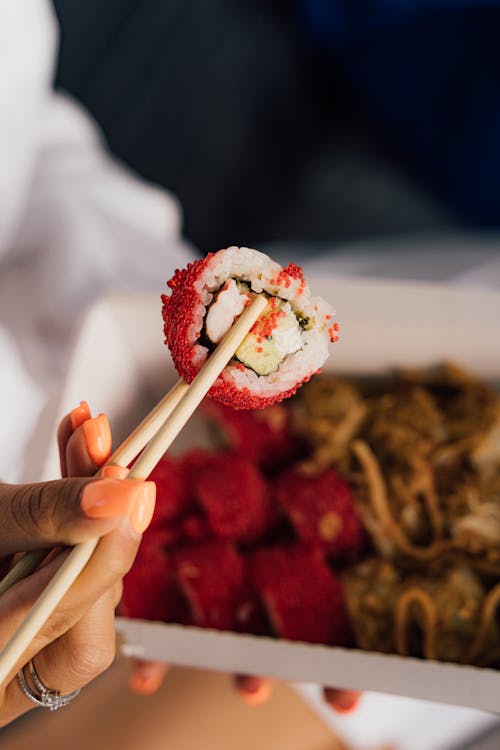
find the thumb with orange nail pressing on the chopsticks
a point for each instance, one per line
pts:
(67, 511)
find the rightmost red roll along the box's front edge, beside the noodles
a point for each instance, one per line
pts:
(303, 598)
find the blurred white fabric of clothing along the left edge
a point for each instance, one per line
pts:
(73, 223)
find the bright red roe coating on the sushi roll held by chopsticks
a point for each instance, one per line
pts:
(178, 313)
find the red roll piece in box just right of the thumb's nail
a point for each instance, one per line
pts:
(173, 494)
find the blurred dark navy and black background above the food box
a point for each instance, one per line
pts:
(317, 120)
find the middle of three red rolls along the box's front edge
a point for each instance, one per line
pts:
(213, 578)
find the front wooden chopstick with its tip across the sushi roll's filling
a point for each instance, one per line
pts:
(81, 553)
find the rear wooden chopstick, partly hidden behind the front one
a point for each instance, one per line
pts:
(128, 450)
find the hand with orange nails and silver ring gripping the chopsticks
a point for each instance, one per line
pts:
(77, 642)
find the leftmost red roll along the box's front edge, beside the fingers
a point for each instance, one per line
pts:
(150, 589)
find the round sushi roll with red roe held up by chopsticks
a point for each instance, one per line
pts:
(285, 347)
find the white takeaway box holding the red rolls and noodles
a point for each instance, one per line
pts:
(121, 366)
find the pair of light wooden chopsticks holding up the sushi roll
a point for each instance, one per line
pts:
(157, 432)
